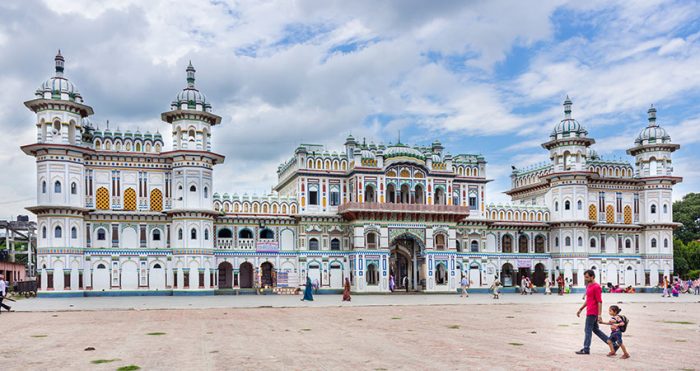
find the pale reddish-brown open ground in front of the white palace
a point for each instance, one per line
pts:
(494, 336)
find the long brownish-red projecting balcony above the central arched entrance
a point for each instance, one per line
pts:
(353, 210)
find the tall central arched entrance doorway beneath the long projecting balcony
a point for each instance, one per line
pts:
(404, 263)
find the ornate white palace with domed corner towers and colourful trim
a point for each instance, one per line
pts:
(117, 213)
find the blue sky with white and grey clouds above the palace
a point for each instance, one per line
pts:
(486, 77)
